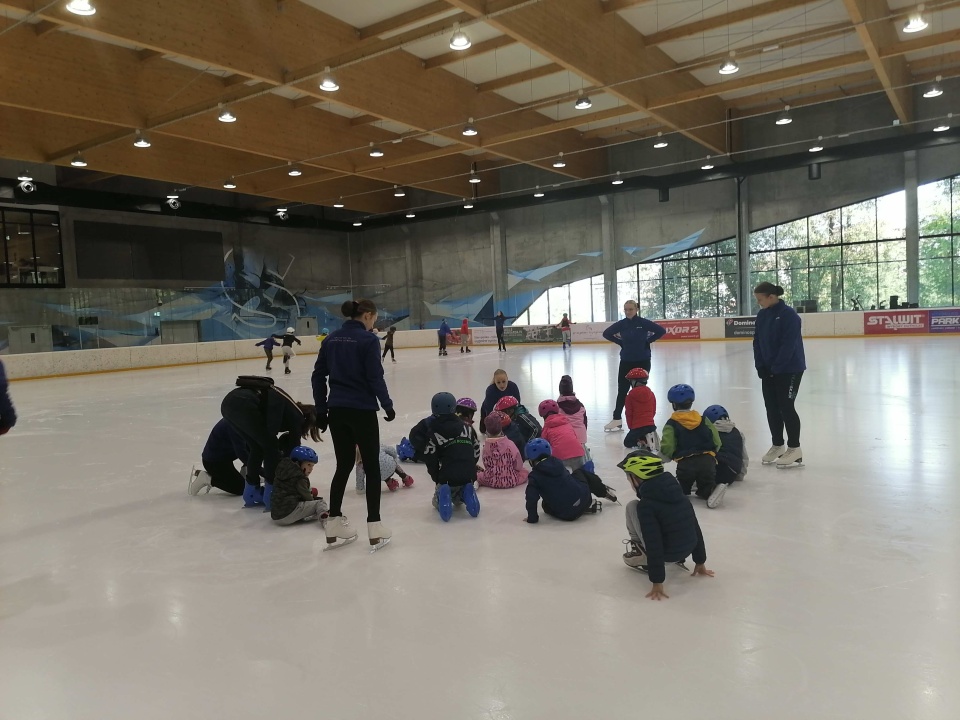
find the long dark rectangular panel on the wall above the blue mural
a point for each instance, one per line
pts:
(108, 251)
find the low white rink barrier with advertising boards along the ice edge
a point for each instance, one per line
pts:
(88, 362)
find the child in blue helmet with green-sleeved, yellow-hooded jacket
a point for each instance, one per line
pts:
(693, 442)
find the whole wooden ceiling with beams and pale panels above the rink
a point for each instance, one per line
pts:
(85, 85)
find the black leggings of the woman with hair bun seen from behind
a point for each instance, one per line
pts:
(351, 429)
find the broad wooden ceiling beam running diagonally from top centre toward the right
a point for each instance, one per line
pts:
(608, 52)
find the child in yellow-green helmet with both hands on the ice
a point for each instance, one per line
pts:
(662, 524)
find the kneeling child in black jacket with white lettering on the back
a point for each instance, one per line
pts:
(451, 456)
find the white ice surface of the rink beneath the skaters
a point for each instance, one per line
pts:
(835, 596)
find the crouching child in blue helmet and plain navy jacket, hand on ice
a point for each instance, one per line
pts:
(564, 496)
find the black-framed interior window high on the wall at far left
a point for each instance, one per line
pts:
(30, 251)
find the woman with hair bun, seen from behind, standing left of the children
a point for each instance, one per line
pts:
(350, 359)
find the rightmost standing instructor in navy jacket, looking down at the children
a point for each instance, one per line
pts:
(780, 362)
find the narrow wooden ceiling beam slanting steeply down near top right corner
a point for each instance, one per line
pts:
(869, 18)
